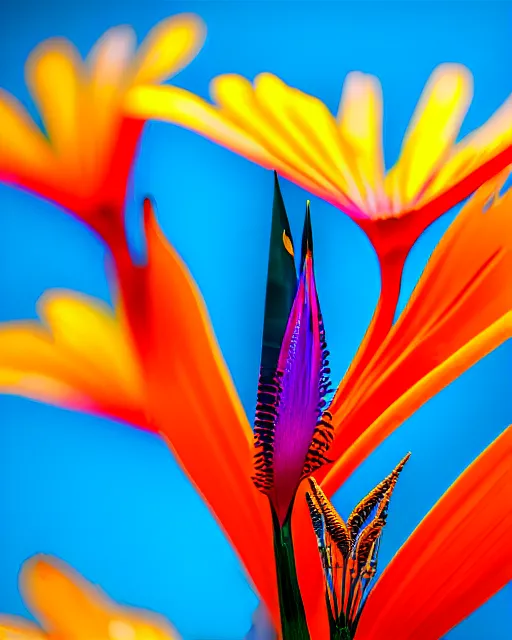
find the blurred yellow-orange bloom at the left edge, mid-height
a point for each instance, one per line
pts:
(81, 359)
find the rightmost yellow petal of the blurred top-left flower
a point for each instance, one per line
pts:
(169, 47)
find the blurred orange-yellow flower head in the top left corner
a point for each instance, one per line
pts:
(83, 157)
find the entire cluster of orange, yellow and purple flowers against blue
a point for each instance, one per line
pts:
(153, 361)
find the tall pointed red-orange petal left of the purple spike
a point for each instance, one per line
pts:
(195, 405)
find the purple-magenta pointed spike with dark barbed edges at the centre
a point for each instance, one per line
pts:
(292, 432)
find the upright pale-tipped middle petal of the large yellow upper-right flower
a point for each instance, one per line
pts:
(360, 124)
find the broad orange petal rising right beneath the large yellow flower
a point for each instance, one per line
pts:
(460, 301)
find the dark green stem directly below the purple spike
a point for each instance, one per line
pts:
(293, 616)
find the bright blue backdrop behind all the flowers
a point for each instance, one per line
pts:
(103, 496)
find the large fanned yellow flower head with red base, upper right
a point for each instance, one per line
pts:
(292, 132)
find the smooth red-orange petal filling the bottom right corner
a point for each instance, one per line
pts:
(454, 561)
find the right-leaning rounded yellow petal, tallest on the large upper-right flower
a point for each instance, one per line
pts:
(433, 129)
